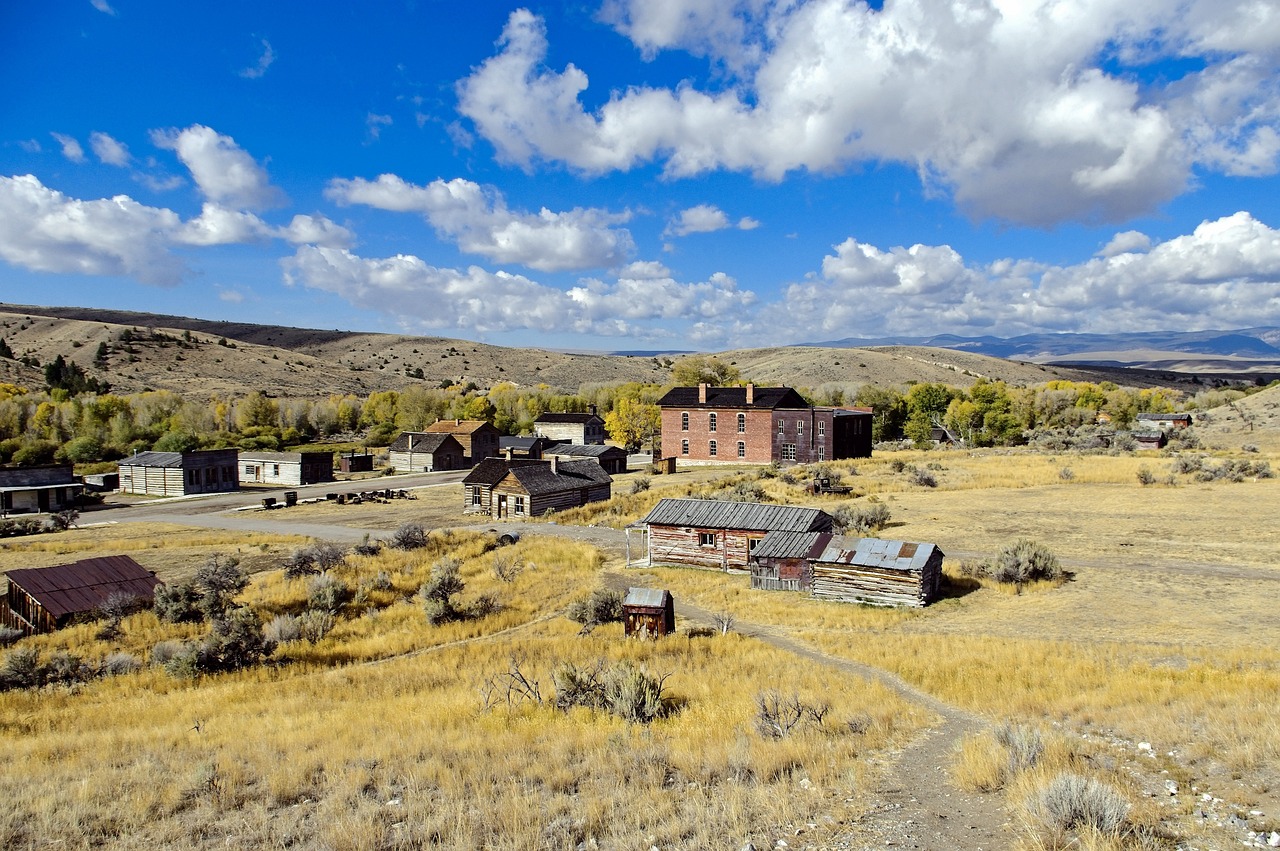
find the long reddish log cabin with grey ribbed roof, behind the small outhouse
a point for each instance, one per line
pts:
(710, 533)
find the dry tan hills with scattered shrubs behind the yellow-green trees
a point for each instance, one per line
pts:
(186, 356)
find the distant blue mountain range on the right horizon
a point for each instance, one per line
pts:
(1252, 344)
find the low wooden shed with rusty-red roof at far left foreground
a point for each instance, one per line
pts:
(49, 598)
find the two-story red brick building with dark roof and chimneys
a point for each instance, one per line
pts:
(760, 425)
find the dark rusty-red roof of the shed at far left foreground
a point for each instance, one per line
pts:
(85, 585)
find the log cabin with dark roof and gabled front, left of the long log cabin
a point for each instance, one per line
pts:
(504, 488)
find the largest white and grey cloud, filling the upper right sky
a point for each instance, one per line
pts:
(1025, 112)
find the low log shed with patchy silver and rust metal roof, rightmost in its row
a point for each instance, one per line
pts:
(879, 573)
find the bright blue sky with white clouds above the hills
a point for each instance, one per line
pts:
(639, 175)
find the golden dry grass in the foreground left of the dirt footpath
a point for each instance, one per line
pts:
(364, 756)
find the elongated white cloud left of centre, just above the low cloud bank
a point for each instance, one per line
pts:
(479, 222)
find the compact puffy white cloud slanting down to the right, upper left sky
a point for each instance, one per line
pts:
(221, 168)
